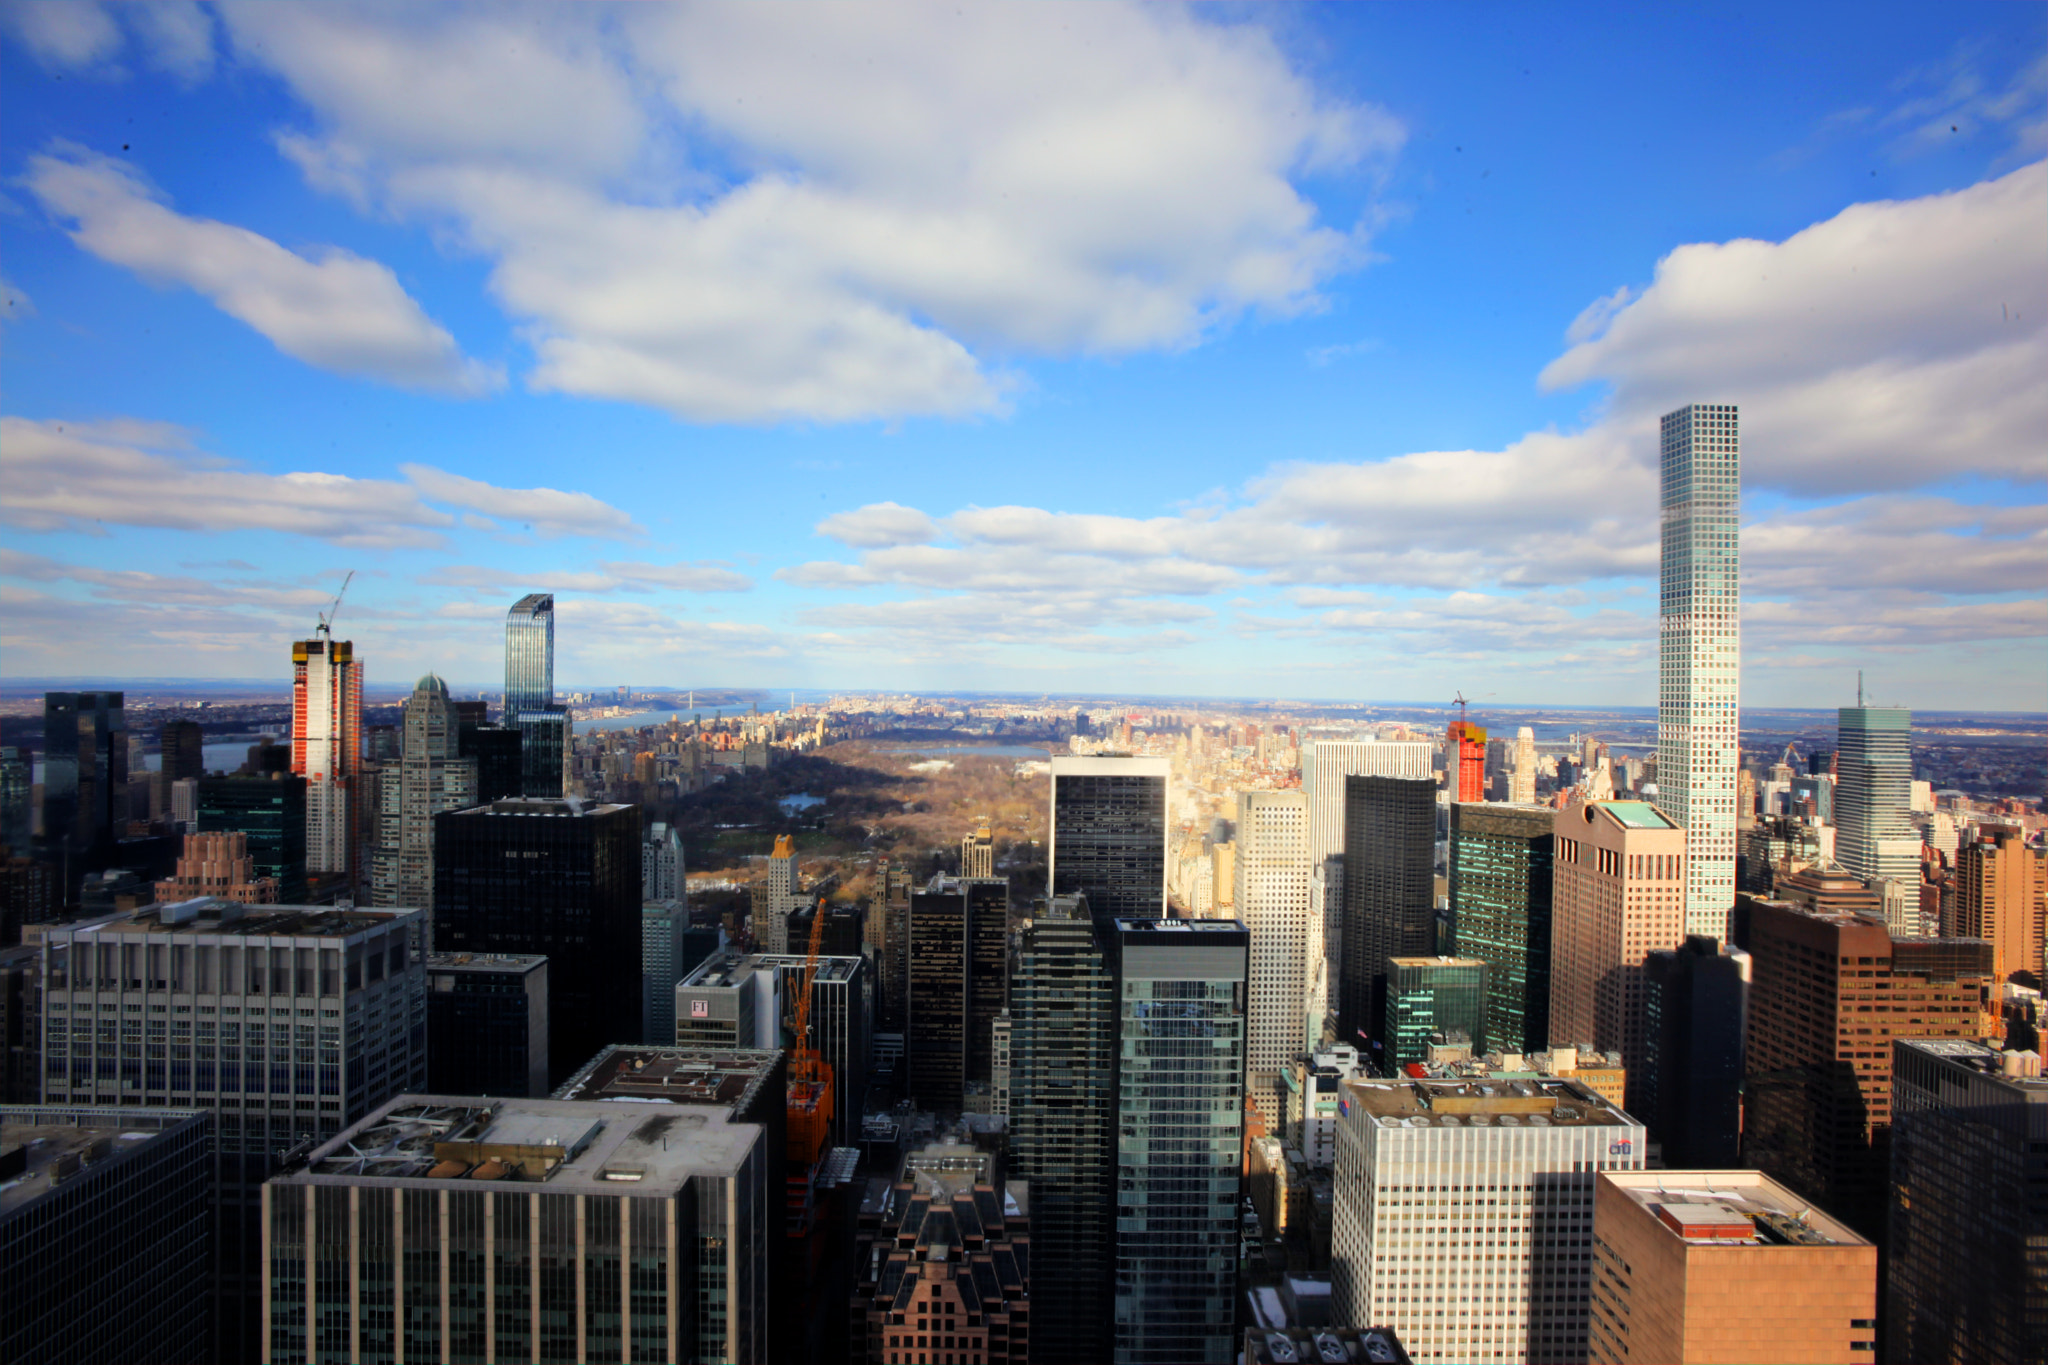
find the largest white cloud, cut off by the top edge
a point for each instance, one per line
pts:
(759, 214)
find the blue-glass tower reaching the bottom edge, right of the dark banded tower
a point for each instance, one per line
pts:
(1181, 1137)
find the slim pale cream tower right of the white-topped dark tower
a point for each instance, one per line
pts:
(1273, 901)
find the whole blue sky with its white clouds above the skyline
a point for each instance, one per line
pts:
(1224, 351)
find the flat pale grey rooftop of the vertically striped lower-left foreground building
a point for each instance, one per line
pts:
(570, 1147)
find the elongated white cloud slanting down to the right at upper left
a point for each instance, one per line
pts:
(337, 312)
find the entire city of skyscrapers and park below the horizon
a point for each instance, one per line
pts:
(959, 1030)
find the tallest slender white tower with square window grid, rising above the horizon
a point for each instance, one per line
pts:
(1701, 652)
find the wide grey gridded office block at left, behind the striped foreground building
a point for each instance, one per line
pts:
(302, 1020)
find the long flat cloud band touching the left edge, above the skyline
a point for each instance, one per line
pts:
(77, 476)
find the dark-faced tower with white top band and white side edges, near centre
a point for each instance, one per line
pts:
(1109, 834)
